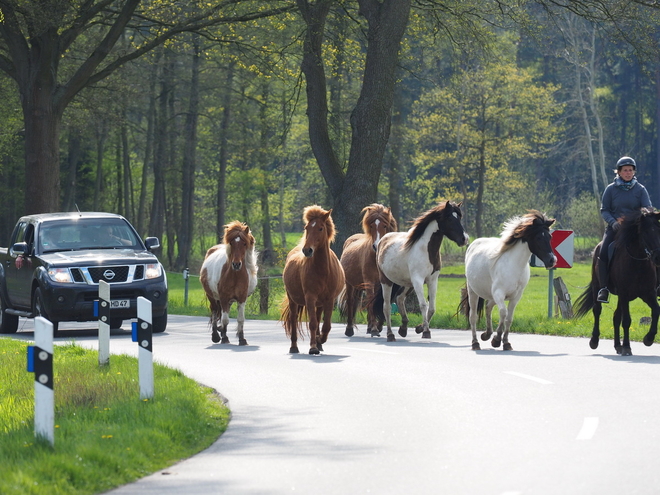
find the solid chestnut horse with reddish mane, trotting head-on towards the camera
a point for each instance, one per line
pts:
(313, 278)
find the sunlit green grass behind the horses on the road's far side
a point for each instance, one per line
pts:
(531, 314)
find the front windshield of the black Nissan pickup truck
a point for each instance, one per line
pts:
(87, 234)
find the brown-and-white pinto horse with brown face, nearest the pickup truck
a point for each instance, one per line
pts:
(228, 275)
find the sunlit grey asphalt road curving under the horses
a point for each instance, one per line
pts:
(413, 416)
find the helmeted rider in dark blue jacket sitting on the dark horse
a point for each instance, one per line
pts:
(623, 196)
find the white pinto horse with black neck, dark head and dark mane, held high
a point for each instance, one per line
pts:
(412, 259)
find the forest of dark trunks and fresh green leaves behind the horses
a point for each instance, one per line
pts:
(199, 114)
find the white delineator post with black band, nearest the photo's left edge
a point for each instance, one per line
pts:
(44, 395)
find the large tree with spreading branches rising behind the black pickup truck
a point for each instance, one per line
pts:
(38, 38)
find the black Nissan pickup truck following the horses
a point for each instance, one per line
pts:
(56, 260)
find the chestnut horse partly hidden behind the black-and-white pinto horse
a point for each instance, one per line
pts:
(359, 262)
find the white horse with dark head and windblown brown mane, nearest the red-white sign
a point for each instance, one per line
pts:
(497, 270)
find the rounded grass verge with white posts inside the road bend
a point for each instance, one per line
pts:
(105, 435)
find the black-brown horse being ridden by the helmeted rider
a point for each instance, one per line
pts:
(632, 274)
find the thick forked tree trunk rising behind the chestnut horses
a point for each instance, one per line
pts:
(371, 117)
